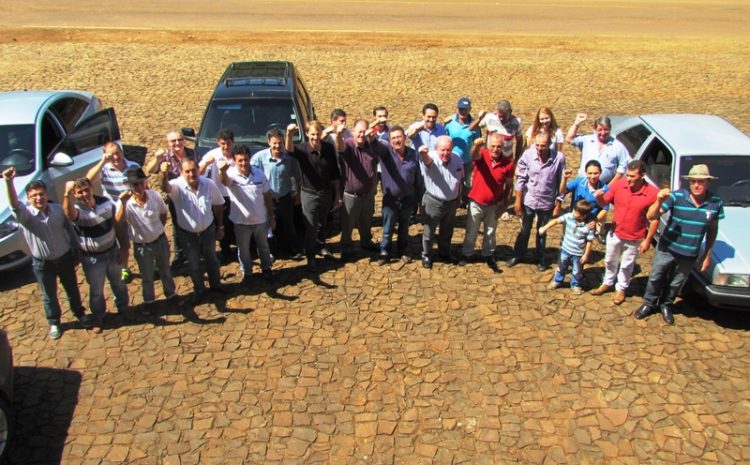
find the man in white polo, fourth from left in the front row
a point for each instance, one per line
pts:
(200, 223)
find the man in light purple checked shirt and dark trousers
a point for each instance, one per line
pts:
(538, 176)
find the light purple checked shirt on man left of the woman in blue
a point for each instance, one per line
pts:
(539, 181)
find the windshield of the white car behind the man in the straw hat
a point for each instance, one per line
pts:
(733, 173)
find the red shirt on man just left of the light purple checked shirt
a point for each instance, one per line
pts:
(489, 178)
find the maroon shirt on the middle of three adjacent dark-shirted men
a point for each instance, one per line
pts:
(359, 166)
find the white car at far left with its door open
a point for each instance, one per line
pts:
(53, 136)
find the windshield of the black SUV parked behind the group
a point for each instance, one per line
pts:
(249, 119)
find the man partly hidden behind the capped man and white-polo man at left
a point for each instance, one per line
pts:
(173, 155)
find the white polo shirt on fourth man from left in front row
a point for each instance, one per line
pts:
(195, 209)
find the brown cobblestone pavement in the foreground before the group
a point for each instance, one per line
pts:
(386, 365)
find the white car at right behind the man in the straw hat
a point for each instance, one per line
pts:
(670, 145)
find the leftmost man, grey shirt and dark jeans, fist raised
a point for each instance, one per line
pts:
(53, 245)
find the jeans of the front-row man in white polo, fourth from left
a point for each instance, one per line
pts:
(197, 246)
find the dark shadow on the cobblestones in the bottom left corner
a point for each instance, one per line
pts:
(43, 405)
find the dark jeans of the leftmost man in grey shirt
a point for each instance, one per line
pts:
(46, 273)
